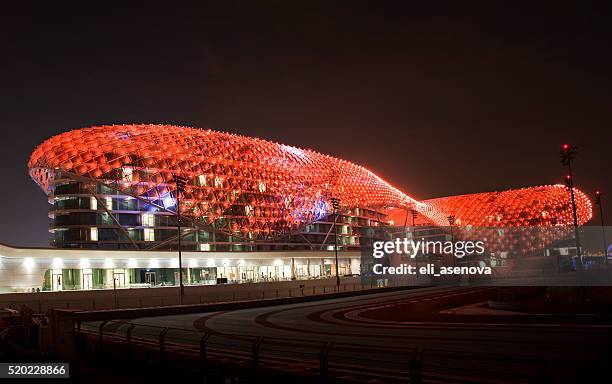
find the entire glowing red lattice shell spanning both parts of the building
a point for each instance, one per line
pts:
(257, 189)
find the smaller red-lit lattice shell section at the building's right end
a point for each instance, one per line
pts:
(536, 216)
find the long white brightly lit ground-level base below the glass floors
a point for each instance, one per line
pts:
(48, 269)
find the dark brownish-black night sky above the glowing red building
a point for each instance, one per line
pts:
(438, 98)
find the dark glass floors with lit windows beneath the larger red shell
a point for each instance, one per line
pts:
(106, 219)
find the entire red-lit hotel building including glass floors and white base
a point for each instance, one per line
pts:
(251, 209)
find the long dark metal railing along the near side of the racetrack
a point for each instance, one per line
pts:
(327, 360)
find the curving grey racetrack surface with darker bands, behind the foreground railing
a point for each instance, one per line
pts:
(490, 345)
